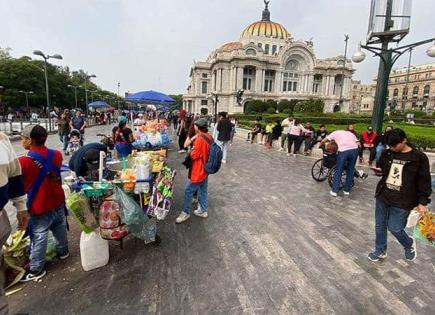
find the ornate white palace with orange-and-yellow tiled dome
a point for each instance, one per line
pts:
(267, 64)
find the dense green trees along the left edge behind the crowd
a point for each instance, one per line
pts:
(26, 74)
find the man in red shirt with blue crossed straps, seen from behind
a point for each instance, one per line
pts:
(45, 199)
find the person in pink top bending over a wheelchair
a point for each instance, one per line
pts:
(347, 155)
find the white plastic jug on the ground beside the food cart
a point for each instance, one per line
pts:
(94, 250)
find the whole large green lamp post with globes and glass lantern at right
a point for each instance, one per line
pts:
(383, 30)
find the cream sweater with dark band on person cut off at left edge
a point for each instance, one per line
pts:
(11, 180)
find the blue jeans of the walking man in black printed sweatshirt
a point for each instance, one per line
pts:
(394, 219)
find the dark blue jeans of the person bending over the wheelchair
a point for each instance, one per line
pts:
(345, 160)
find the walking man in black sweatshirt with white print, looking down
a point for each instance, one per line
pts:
(405, 185)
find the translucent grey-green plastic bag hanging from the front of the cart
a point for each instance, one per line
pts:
(133, 216)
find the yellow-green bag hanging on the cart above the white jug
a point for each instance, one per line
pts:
(78, 204)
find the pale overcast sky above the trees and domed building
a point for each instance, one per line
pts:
(146, 44)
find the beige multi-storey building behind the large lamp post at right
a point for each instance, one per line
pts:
(410, 88)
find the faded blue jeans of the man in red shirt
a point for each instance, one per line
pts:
(54, 221)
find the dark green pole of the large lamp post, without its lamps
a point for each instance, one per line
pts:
(384, 70)
